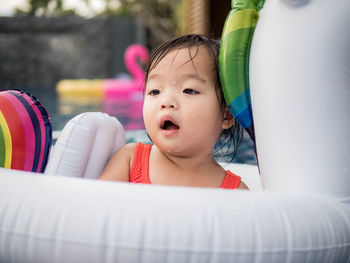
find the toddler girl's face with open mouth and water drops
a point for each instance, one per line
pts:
(181, 110)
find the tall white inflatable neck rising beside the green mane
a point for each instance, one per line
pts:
(300, 80)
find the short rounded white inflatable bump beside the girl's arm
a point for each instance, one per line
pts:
(78, 151)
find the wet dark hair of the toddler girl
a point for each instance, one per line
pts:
(229, 138)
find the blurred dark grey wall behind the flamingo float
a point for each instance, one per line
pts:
(39, 51)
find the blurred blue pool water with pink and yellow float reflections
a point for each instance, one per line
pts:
(128, 112)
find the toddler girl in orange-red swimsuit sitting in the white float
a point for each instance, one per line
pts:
(185, 114)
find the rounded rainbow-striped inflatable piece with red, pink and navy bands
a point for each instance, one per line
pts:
(25, 132)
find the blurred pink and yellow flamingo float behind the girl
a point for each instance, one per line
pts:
(110, 88)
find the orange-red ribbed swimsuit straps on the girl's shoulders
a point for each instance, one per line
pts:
(140, 167)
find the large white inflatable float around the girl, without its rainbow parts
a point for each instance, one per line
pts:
(299, 212)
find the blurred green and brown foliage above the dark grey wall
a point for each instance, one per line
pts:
(163, 18)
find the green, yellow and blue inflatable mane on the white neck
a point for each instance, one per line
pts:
(234, 59)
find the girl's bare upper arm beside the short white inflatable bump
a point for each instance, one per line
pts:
(118, 167)
